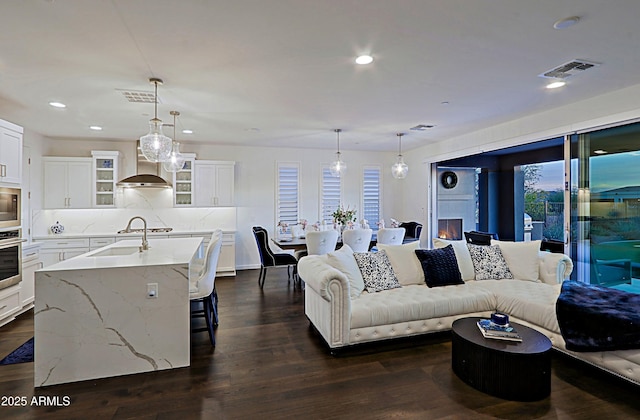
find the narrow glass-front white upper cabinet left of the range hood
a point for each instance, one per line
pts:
(105, 175)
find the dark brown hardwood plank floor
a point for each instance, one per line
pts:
(268, 363)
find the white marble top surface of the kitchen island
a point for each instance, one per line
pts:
(160, 252)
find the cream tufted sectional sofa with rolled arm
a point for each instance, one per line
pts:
(345, 315)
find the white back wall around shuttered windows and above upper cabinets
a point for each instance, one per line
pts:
(255, 180)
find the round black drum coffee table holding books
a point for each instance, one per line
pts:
(519, 371)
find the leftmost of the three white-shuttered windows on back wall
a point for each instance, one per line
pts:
(287, 201)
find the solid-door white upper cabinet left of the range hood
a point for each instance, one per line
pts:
(67, 182)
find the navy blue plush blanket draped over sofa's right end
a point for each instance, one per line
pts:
(594, 318)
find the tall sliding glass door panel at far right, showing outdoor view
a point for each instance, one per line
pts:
(605, 180)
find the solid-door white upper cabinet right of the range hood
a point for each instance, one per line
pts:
(214, 183)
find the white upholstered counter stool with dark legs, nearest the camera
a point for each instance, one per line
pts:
(202, 289)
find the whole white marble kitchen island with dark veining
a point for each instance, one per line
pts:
(114, 311)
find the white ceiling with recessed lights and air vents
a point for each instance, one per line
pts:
(281, 73)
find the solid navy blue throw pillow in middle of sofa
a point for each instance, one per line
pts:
(440, 266)
